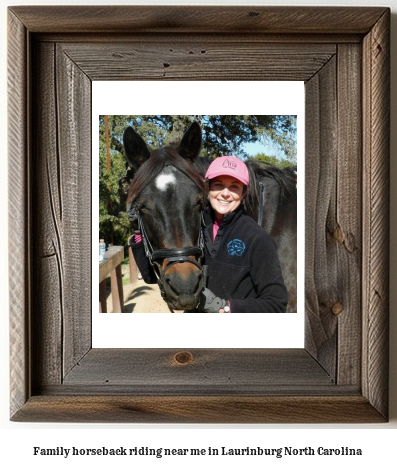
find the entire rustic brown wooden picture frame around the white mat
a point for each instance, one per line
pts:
(342, 54)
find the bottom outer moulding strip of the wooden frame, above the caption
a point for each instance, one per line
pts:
(198, 409)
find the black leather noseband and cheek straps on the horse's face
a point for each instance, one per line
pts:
(173, 255)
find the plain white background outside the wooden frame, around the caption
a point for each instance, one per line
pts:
(377, 441)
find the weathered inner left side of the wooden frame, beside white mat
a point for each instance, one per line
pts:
(62, 198)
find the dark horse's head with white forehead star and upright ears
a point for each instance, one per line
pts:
(168, 195)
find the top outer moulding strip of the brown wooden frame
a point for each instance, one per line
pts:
(196, 19)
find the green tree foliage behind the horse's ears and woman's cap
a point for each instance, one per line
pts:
(222, 135)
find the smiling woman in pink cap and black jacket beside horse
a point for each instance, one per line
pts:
(243, 269)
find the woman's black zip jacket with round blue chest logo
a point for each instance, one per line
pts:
(243, 265)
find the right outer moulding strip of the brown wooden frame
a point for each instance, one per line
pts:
(376, 91)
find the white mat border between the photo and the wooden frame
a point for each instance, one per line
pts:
(228, 331)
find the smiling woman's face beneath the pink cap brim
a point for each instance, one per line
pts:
(226, 194)
